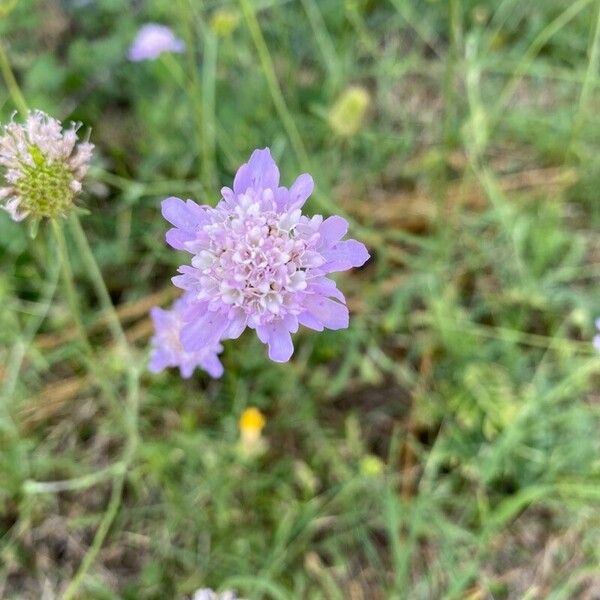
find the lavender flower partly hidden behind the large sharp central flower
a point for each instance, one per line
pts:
(166, 346)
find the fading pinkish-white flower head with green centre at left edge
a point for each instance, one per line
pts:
(44, 166)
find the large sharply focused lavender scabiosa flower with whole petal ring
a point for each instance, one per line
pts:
(258, 262)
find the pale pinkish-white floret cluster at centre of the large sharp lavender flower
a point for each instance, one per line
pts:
(255, 259)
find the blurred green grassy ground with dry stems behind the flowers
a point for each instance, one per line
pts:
(446, 445)
